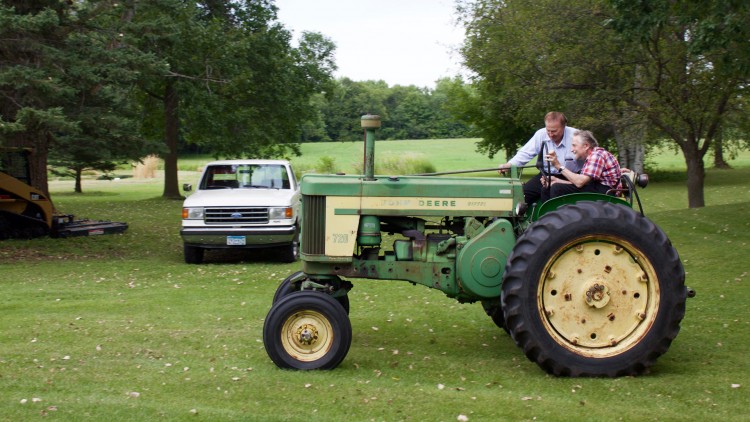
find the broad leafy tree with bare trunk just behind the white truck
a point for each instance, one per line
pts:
(231, 82)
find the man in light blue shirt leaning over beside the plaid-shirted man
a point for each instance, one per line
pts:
(557, 136)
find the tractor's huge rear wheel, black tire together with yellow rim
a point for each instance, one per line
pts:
(594, 289)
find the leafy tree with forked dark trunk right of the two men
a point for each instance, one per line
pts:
(695, 66)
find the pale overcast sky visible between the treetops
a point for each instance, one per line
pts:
(403, 42)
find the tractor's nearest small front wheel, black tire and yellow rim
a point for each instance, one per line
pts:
(307, 330)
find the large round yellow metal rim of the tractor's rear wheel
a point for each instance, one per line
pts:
(598, 297)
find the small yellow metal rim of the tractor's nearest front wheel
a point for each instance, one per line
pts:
(307, 336)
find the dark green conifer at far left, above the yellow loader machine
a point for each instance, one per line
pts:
(65, 84)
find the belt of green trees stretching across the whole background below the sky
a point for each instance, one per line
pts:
(92, 83)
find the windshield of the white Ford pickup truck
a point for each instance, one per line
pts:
(246, 176)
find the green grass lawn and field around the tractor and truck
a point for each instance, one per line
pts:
(119, 328)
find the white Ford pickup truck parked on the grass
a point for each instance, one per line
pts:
(242, 204)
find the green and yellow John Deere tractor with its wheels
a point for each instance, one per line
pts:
(584, 284)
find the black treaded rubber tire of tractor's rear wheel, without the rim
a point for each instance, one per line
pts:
(529, 257)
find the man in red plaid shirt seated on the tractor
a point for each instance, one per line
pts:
(600, 171)
